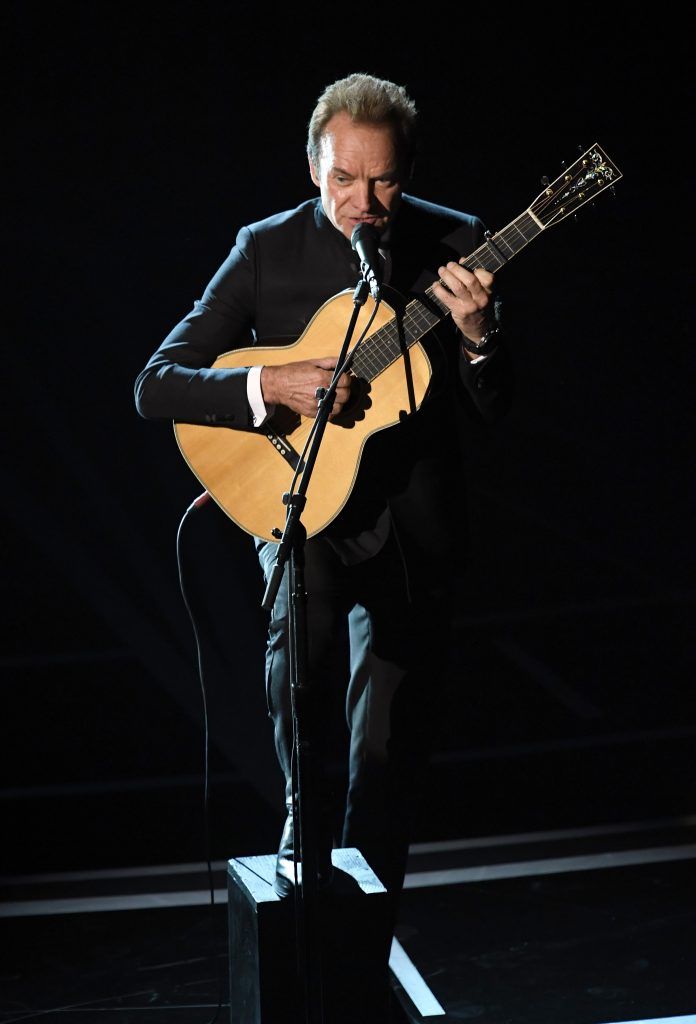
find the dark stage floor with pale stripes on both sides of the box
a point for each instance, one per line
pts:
(584, 926)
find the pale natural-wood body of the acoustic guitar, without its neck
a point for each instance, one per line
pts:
(247, 473)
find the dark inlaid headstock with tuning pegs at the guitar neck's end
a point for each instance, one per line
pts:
(591, 175)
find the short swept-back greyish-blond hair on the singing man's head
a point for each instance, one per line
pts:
(367, 101)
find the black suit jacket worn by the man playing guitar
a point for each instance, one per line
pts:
(280, 272)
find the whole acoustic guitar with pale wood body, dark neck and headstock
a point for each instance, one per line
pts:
(247, 473)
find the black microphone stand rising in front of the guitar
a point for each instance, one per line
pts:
(291, 549)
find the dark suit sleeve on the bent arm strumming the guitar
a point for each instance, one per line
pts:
(180, 381)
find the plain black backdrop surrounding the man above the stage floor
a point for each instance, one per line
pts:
(140, 140)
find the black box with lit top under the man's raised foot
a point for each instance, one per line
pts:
(354, 946)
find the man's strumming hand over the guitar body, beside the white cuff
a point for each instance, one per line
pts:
(295, 385)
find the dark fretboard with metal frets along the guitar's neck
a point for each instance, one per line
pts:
(420, 316)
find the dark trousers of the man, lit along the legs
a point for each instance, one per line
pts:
(378, 636)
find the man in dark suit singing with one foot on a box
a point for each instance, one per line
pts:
(379, 578)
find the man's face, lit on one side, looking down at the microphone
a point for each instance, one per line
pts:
(359, 175)
